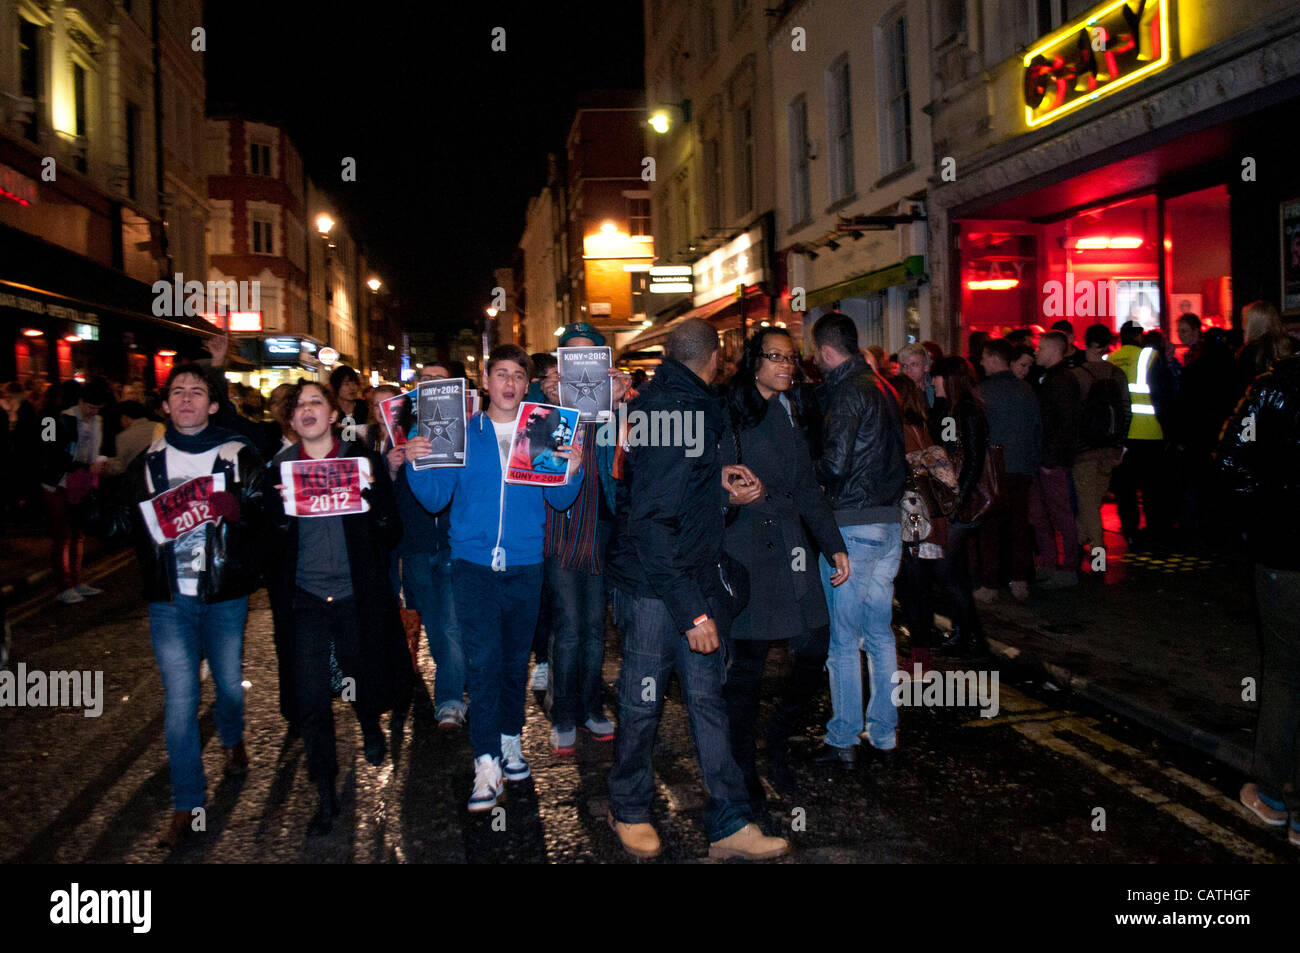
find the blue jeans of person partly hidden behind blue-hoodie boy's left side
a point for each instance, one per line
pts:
(427, 578)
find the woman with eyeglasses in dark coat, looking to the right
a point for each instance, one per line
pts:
(770, 539)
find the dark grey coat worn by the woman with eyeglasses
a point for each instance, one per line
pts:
(772, 535)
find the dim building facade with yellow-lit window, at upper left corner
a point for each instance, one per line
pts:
(102, 187)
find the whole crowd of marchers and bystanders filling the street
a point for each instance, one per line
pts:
(827, 491)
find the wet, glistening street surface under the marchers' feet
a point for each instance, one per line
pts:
(1022, 787)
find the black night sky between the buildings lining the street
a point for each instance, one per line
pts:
(450, 138)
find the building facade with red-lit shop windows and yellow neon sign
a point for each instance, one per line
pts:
(1112, 162)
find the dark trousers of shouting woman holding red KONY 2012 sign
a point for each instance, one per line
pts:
(318, 626)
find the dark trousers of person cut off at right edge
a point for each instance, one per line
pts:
(1277, 743)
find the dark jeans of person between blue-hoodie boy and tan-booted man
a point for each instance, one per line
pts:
(578, 644)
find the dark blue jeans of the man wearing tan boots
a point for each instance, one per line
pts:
(652, 649)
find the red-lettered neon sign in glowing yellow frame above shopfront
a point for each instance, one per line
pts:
(1113, 47)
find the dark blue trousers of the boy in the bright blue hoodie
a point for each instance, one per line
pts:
(499, 614)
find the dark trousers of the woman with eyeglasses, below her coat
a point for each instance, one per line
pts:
(744, 687)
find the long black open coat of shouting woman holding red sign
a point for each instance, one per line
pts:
(379, 653)
